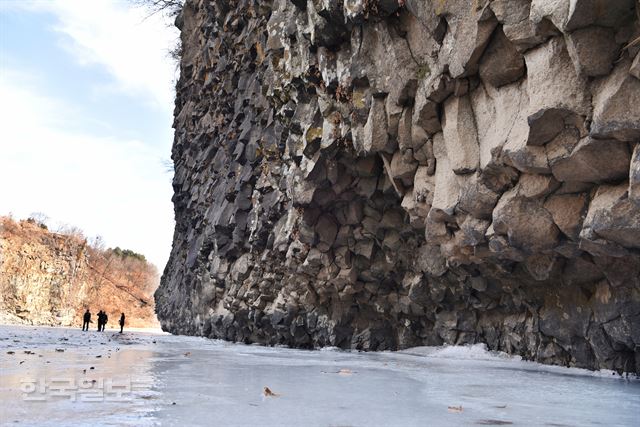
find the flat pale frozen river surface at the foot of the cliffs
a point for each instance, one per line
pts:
(58, 376)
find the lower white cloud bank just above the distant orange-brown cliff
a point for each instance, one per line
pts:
(112, 187)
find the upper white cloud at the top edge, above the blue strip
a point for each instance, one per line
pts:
(129, 43)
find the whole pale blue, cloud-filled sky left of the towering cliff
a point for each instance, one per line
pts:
(86, 99)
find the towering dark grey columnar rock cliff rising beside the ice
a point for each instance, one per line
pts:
(384, 174)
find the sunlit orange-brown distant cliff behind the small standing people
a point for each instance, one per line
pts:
(50, 279)
